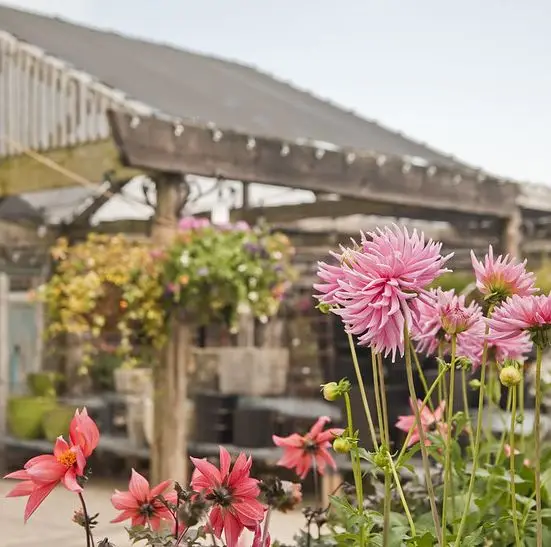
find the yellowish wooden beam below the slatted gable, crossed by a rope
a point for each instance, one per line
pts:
(90, 161)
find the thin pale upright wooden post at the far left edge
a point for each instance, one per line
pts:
(4, 365)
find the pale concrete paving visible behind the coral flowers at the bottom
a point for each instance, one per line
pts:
(51, 525)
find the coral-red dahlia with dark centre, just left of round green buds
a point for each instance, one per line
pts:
(302, 452)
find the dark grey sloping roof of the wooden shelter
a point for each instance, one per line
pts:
(189, 85)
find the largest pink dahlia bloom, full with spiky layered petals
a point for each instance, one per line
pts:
(383, 284)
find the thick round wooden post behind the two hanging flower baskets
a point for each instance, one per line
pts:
(169, 450)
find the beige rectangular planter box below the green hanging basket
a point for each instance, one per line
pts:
(253, 371)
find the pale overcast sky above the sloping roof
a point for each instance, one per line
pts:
(470, 77)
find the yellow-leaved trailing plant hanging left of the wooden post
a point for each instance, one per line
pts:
(105, 286)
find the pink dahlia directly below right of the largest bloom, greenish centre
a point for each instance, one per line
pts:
(445, 314)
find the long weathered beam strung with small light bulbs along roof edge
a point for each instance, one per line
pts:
(154, 144)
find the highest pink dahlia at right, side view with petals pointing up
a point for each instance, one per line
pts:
(502, 277)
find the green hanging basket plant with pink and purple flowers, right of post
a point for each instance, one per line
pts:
(215, 273)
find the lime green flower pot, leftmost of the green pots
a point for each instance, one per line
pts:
(26, 415)
